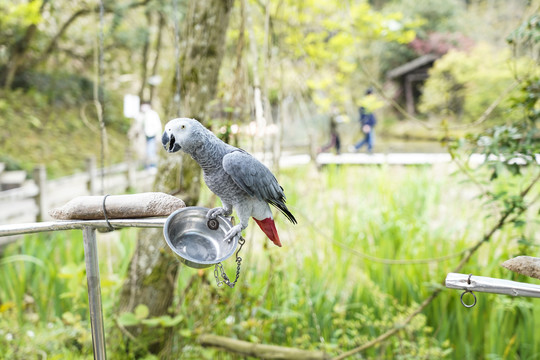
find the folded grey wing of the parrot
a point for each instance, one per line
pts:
(256, 180)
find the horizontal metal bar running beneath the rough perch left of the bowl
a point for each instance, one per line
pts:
(28, 228)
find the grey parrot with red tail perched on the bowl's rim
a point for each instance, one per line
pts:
(236, 177)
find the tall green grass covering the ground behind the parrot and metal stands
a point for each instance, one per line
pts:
(317, 292)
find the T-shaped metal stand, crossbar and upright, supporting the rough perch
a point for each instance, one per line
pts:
(91, 259)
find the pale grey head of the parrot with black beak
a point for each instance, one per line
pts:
(182, 134)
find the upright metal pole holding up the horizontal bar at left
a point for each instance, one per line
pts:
(94, 292)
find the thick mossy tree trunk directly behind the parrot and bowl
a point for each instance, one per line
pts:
(153, 270)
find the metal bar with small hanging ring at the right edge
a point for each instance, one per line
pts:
(491, 285)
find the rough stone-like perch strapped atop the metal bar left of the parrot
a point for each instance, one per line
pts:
(118, 206)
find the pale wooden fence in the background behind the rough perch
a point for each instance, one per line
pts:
(32, 201)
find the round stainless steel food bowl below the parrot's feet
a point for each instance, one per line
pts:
(196, 245)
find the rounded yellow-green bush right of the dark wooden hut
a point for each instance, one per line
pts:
(463, 85)
